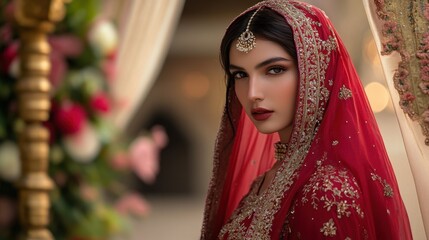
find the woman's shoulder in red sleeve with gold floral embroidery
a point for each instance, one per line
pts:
(328, 205)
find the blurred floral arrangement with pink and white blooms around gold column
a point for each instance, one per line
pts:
(86, 158)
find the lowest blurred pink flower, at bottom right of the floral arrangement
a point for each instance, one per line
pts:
(134, 204)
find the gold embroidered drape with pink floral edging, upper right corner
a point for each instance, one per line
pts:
(405, 29)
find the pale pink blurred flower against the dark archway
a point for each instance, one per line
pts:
(144, 159)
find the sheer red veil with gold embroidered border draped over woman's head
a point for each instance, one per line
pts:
(334, 128)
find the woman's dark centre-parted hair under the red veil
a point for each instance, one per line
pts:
(266, 24)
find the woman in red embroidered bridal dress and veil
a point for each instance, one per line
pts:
(291, 84)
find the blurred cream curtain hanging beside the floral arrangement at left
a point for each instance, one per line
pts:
(146, 28)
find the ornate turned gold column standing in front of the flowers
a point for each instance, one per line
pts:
(35, 18)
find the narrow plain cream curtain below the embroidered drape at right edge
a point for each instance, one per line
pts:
(414, 140)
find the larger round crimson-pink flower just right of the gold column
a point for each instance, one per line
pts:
(70, 118)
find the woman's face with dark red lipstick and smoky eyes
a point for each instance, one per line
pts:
(266, 81)
